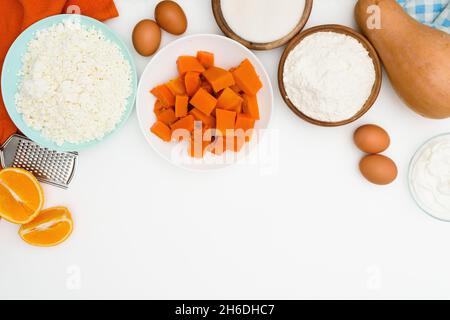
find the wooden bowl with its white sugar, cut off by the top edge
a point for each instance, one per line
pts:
(261, 24)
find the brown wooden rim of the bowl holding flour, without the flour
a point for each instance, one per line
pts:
(343, 30)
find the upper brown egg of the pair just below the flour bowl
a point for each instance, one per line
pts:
(371, 138)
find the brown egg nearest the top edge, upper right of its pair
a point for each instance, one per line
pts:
(170, 17)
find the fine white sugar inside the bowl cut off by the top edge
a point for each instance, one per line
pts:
(262, 21)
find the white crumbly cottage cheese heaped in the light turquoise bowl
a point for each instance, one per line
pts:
(75, 83)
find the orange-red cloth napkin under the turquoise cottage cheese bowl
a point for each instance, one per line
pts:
(17, 15)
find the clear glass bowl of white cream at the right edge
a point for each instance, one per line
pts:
(429, 177)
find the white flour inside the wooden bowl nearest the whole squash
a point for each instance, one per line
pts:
(329, 76)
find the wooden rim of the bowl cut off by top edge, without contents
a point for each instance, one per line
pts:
(218, 15)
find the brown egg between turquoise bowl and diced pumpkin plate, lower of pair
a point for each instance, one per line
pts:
(146, 37)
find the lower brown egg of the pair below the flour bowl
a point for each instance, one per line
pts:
(378, 169)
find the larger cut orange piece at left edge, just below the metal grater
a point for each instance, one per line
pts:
(21, 196)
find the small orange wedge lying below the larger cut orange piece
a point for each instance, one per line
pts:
(51, 227)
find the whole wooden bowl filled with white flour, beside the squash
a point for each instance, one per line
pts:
(351, 59)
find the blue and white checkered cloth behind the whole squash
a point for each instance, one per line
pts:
(435, 13)
